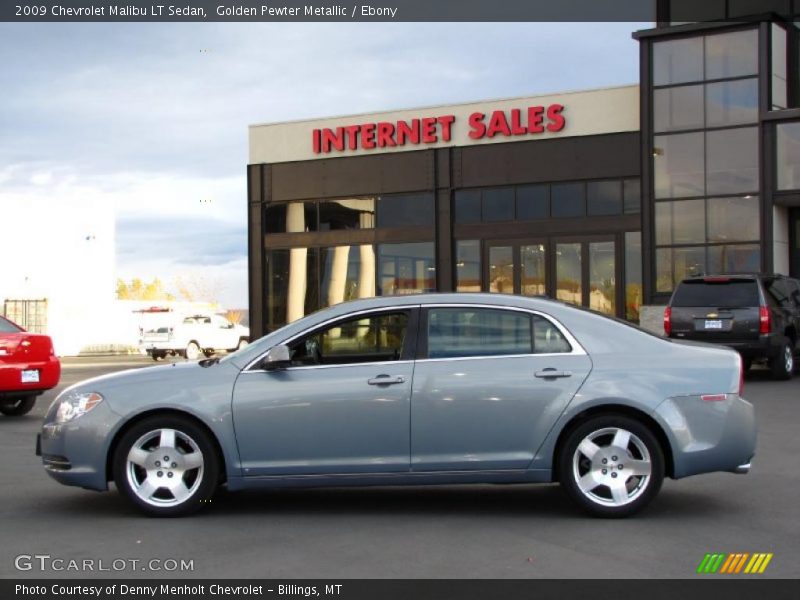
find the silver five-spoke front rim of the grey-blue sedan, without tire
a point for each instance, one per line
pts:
(164, 467)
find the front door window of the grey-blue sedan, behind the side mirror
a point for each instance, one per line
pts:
(369, 338)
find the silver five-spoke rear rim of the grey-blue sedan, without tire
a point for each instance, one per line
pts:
(612, 467)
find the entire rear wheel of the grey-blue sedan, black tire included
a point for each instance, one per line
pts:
(636, 491)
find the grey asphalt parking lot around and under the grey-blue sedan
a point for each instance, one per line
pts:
(450, 532)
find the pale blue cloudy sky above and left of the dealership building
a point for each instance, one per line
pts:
(152, 118)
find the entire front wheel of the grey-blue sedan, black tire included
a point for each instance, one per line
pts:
(200, 482)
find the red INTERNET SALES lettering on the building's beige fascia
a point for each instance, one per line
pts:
(530, 121)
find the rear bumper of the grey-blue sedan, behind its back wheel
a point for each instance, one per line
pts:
(708, 436)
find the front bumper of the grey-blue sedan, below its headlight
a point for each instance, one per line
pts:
(74, 453)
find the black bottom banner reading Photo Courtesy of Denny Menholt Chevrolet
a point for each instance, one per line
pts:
(733, 588)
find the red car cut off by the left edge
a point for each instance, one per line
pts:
(28, 367)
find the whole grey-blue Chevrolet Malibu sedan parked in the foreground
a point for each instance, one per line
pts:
(431, 389)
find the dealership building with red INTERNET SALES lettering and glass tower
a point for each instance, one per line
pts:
(603, 198)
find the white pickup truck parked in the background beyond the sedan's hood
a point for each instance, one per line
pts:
(193, 336)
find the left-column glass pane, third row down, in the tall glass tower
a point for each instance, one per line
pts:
(679, 165)
